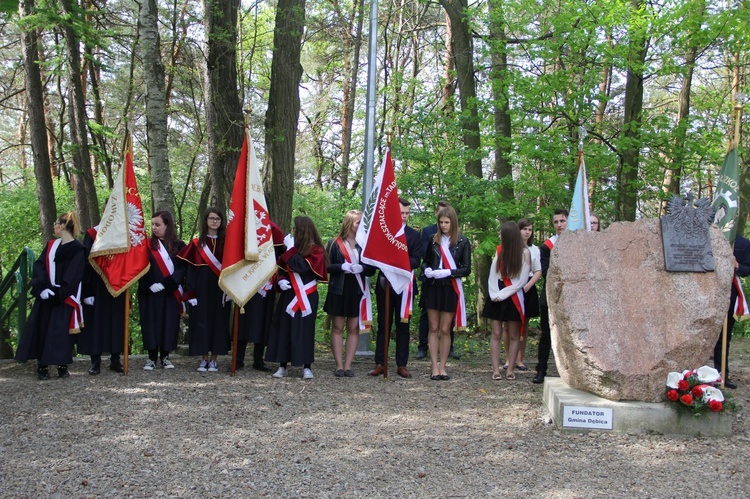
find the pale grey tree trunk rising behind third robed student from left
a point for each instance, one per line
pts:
(162, 190)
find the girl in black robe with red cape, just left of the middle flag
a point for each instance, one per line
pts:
(209, 308)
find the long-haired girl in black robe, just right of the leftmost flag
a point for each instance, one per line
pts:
(160, 292)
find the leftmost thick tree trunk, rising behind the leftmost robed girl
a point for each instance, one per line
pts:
(37, 124)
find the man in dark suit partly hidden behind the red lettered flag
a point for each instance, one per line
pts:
(393, 312)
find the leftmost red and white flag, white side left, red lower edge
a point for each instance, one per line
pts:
(120, 253)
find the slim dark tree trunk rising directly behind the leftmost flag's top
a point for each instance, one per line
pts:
(85, 188)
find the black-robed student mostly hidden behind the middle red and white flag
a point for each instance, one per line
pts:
(255, 324)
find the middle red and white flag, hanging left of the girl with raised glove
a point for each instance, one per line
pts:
(249, 260)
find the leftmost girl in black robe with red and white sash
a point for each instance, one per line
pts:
(57, 311)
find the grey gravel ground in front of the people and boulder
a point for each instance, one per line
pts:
(180, 433)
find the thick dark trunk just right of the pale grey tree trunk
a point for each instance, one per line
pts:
(224, 120)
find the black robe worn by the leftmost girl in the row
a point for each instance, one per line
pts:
(47, 336)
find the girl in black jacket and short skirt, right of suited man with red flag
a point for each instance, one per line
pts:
(446, 261)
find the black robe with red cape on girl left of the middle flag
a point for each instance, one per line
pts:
(209, 319)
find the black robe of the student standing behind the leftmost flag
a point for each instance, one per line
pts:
(104, 329)
